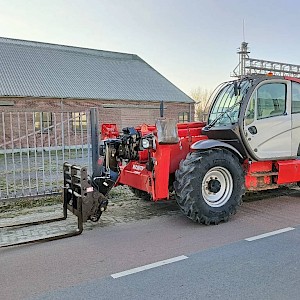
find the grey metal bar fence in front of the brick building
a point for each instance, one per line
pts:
(34, 146)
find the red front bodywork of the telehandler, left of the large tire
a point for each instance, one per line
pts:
(166, 159)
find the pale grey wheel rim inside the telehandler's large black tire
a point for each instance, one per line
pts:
(217, 186)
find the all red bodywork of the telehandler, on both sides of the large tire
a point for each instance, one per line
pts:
(258, 175)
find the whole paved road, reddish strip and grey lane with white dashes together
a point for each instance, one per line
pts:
(213, 262)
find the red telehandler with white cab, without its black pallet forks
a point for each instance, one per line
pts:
(250, 142)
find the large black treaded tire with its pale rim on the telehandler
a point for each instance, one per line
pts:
(209, 185)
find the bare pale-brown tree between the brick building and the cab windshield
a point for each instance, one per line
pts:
(201, 96)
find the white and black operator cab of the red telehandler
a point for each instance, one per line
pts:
(259, 116)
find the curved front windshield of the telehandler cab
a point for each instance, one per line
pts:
(226, 107)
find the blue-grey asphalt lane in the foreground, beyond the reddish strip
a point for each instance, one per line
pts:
(262, 269)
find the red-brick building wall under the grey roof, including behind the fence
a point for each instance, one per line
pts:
(17, 127)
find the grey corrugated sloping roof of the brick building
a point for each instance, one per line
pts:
(37, 69)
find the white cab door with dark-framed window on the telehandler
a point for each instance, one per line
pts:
(267, 121)
